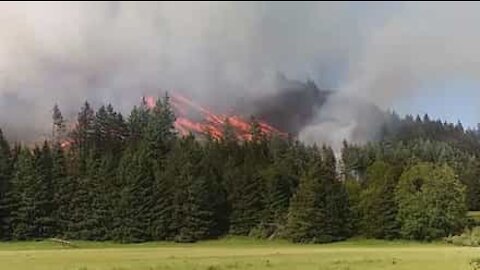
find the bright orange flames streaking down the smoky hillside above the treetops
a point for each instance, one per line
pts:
(209, 123)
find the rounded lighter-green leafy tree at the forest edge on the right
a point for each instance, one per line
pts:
(431, 202)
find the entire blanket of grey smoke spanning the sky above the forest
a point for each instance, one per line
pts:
(223, 53)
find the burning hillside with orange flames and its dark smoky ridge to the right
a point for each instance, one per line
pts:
(292, 107)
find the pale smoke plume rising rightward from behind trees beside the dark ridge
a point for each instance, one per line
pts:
(415, 46)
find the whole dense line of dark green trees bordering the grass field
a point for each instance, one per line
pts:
(135, 179)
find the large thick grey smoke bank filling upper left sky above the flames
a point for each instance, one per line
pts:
(218, 53)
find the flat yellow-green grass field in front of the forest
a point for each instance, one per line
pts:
(236, 254)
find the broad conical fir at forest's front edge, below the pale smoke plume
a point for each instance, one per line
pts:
(319, 211)
